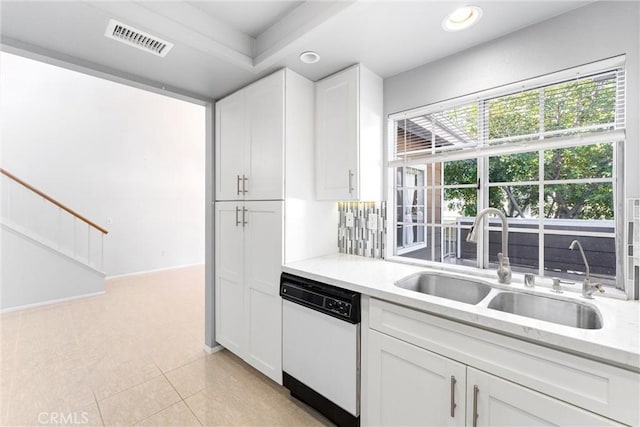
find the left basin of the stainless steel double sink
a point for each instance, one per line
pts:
(444, 286)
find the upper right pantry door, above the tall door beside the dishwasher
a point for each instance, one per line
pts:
(265, 100)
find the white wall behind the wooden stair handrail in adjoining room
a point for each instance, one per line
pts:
(109, 151)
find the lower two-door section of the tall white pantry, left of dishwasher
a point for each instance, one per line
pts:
(247, 276)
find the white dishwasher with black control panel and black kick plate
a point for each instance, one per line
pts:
(321, 347)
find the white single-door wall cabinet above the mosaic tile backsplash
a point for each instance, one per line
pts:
(348, 126)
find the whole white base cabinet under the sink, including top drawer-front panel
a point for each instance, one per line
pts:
(423, 370)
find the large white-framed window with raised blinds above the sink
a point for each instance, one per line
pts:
(546, 154)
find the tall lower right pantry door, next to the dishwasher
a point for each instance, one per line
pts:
(263, 305)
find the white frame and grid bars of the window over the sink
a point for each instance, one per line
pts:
(616, 137)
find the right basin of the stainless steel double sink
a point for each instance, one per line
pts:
(568, 313)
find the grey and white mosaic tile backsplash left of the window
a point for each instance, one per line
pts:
(362, 229)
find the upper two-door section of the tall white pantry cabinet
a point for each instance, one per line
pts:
(250, 142)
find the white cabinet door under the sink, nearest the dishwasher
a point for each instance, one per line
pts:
(410, 386)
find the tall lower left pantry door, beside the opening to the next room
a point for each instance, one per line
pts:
(229, 276)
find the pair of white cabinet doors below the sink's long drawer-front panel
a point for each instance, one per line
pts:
(410, 386)
